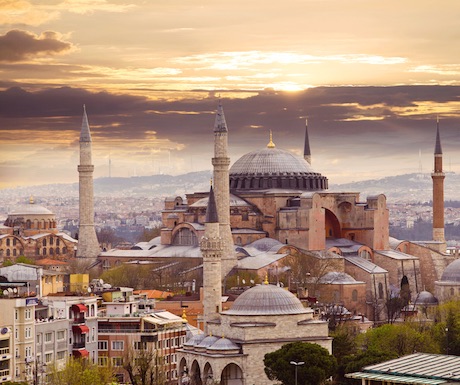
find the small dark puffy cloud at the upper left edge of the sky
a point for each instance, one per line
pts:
(17, 45)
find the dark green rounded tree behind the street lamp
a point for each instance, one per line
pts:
(319, 364)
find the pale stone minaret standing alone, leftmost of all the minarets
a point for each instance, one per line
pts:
(88, 246)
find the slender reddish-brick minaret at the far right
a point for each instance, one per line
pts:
(438, 193)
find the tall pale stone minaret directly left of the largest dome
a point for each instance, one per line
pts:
(221, 163)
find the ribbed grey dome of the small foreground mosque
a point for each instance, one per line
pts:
(266, 300)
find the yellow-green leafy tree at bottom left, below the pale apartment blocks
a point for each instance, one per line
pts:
(80, 372)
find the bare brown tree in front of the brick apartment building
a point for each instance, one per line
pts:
(144, 366)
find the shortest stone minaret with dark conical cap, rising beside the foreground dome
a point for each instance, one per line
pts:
(212, 247)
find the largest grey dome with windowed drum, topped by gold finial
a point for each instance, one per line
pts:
(274, 168)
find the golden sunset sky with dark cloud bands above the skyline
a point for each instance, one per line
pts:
(371, 77)
